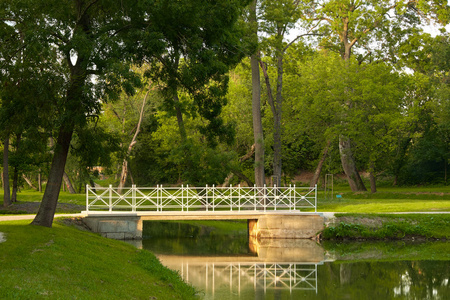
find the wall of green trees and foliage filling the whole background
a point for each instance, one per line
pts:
(162, 91)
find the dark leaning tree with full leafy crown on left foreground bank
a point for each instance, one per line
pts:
(85, 39)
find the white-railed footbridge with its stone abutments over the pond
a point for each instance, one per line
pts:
(272, 212)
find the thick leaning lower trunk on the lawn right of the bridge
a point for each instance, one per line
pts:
(349, 165)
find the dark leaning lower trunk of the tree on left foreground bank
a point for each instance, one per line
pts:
(49, 202)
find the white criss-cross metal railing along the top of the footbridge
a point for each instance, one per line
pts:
(207, 198)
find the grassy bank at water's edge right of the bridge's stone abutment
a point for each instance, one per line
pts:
(388, 226)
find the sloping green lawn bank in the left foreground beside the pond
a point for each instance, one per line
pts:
(66, 263)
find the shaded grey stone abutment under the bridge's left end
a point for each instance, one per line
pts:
(116, 227)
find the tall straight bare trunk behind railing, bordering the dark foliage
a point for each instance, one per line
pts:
(258, 134)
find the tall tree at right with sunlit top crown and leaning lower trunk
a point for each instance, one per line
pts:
(348, 24)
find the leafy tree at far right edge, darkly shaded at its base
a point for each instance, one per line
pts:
(426, 157)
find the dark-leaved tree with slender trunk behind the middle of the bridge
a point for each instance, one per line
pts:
(203, 42)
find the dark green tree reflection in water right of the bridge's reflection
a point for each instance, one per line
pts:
(385, 280)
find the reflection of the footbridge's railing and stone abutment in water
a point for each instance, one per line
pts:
(286, 265)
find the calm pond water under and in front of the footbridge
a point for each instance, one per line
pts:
(224, 266)
